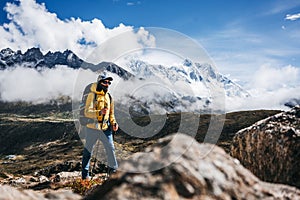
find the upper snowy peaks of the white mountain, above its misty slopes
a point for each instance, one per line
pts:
(195, 74)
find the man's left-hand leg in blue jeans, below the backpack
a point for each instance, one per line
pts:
(91, 138)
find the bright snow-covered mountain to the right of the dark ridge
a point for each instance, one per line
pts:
(186, 86)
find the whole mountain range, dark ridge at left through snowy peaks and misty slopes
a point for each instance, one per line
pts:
(173, 88)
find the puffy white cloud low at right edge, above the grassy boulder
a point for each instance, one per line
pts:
(270, 88)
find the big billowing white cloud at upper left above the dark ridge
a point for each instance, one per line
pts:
(32, 25)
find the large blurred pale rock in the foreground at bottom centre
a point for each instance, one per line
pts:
(197, 171)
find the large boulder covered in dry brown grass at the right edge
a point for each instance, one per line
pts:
(271, 148)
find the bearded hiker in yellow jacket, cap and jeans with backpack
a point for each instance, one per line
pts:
(99, 108)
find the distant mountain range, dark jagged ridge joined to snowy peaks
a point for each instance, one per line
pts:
(200, 78)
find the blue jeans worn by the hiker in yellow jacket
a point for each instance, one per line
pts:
(106, 137)
